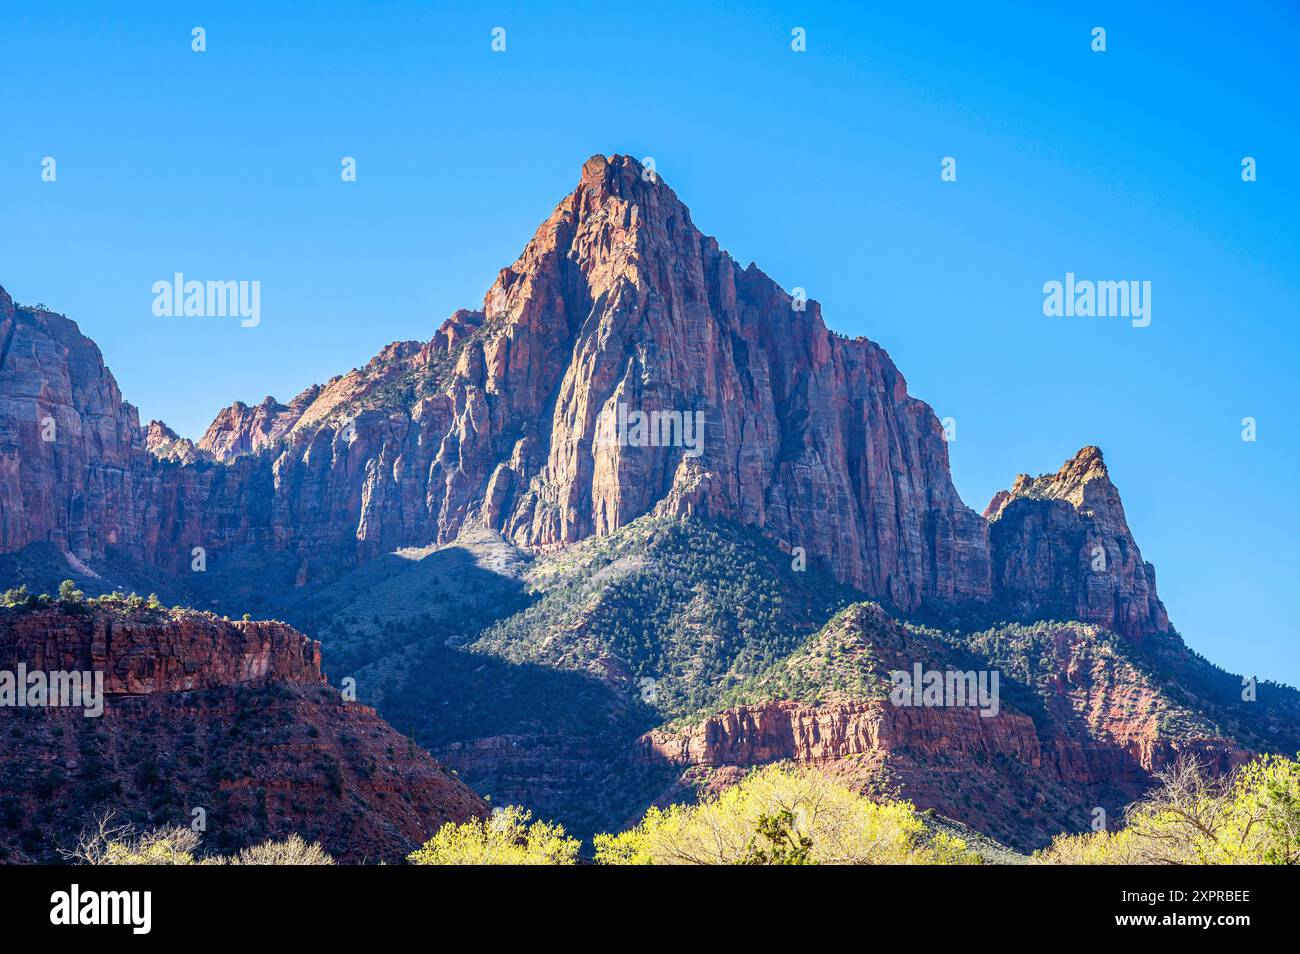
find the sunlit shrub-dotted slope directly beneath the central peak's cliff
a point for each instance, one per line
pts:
(675, 612)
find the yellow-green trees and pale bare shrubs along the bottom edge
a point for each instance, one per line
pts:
(794, 816)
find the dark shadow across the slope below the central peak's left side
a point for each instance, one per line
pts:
(554, 740)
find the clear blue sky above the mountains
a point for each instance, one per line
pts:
(824, 167)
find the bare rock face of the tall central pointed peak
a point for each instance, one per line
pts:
(621, 301)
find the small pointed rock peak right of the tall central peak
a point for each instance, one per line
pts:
(1061, 547)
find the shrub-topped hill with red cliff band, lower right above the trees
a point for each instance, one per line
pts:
(1082, 723)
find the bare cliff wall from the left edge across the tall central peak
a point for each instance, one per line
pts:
(617, 303)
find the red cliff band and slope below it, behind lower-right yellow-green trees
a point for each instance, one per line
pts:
(1024, 783)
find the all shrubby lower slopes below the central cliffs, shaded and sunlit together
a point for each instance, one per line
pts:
(707, 631)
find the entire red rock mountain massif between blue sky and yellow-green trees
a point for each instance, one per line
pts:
(634, 526)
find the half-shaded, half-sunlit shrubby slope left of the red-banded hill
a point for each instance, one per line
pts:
(544, 706)
